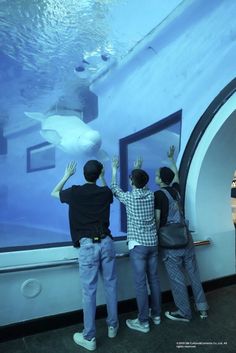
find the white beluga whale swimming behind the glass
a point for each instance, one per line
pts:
(70, 134)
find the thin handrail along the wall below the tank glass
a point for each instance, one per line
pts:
(67, 262)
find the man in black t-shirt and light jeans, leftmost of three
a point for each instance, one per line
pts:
(89, 212)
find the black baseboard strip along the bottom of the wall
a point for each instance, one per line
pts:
(35, 326)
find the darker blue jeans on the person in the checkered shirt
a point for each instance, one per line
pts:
(144, 263)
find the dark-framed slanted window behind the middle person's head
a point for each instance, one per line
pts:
(152, 144)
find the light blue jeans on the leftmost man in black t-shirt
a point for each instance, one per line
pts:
(95, 258)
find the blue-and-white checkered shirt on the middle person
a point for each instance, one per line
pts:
(139, 203)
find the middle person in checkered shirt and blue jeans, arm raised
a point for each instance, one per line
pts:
(142, 245)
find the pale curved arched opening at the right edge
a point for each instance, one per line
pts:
(207, 188)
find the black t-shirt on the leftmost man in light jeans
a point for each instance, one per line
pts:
(89, 210)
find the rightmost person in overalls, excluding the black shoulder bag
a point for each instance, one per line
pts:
(177, 261)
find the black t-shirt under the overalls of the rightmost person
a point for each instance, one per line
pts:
(162, 202)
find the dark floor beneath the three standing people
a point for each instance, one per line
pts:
(216, 334)
